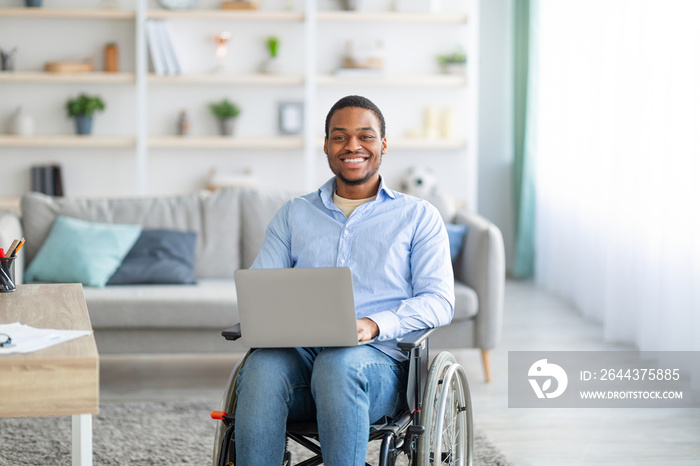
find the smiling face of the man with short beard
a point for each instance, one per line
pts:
(354, 146)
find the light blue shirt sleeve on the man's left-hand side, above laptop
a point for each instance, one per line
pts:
(276, 250)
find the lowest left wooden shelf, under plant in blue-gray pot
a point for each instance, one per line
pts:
(74, 141)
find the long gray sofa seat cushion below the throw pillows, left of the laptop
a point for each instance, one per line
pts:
(211, 303)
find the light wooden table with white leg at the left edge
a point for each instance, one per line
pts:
(62, 380)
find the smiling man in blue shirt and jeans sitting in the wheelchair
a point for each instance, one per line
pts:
(397, 249)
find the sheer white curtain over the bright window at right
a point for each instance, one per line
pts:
(618, 164)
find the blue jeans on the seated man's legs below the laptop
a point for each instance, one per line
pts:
(343, 389)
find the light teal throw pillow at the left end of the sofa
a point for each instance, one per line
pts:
(77, 251)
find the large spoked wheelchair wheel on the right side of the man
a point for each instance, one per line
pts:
(446, 414)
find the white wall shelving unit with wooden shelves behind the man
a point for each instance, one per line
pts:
(311, 82)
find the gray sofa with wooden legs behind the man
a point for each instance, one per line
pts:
(230, 225)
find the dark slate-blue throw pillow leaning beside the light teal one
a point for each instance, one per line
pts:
(159, 256)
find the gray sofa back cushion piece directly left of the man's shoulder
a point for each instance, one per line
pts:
(257, 209)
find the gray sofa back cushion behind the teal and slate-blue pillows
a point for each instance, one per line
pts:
(213, 216)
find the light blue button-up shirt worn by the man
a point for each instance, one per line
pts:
(396, 247)
